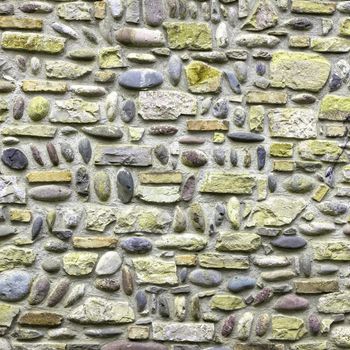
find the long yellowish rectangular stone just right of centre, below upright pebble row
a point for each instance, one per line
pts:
(227, 182)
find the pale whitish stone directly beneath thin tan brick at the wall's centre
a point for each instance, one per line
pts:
(159, 194)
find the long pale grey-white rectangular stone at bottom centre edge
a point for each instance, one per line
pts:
(183, 332)
